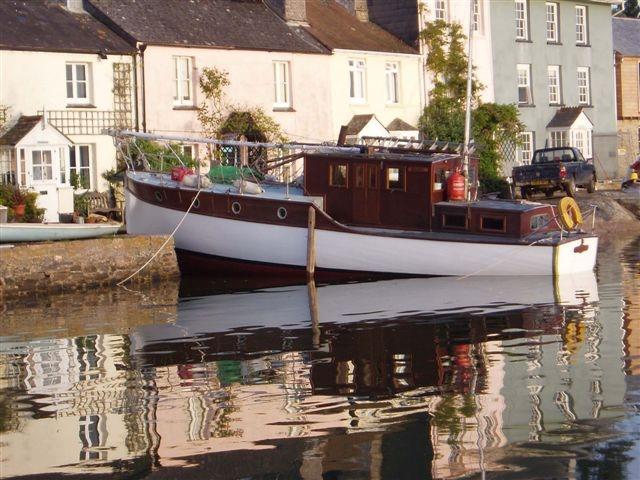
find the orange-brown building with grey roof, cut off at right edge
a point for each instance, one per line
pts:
(626, 45)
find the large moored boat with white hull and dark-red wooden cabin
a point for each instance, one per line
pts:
(377, 211)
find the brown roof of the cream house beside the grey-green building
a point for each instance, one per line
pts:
(336, 28)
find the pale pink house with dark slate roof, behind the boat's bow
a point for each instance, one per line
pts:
(271, 64)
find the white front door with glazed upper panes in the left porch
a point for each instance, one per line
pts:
(45, 170)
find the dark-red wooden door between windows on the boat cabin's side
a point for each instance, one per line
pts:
(366, 194)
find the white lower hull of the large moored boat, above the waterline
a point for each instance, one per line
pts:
(344, 251)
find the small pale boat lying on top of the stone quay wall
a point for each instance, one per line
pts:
(40, 232)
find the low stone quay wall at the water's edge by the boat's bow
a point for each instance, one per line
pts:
(60, 267)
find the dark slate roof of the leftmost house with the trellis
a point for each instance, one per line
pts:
(44, 25)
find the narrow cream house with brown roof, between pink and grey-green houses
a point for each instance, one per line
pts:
(372, 72)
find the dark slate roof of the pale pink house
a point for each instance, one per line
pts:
(230, 24)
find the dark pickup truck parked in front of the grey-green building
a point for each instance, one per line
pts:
(551, 169)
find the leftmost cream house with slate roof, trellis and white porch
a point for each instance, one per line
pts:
(60, 62)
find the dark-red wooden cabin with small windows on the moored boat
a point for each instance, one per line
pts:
(408, 191)
